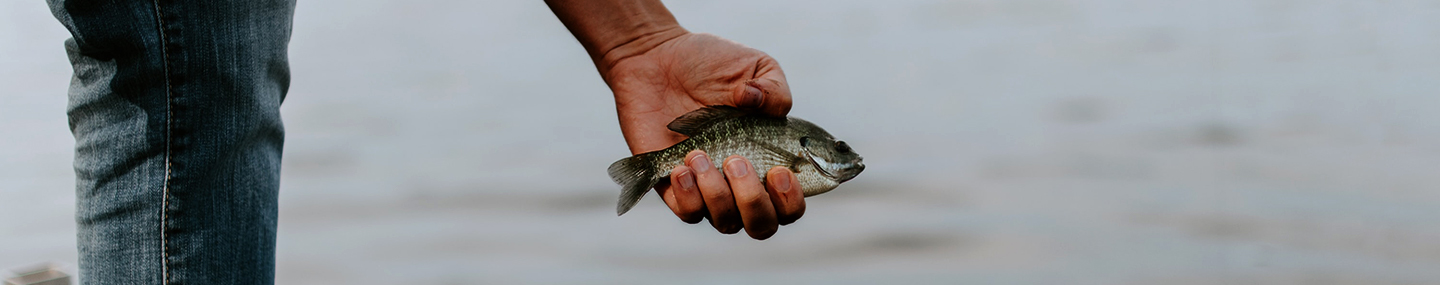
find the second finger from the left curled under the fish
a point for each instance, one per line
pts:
(716, 194)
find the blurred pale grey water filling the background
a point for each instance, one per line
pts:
(1009, 142)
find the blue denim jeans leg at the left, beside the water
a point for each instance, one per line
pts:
(175, 107)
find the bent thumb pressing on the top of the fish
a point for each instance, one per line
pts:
(768, 93)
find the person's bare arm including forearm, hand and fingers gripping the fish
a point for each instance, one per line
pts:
(659, 71)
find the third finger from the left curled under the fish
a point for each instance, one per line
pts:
(751, 198)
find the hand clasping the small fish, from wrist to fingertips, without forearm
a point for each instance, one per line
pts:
(689, 73)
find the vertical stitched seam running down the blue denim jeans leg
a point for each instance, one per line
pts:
(165, 191)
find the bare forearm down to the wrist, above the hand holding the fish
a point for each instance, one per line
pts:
(617, 30)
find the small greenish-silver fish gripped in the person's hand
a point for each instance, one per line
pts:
(817, 159)
